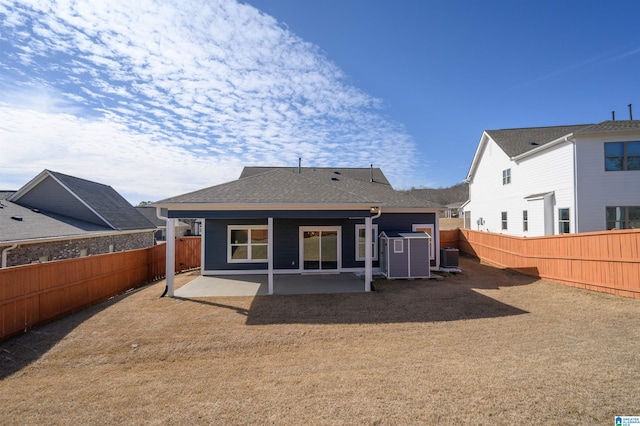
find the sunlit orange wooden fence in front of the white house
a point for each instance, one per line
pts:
(606, 261)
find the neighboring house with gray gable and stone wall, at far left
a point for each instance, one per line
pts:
(56, 216)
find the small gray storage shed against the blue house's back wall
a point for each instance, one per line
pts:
(405, 254)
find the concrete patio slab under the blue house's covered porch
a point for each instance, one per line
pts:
(257, 285)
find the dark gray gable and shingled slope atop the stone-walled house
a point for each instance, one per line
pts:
(80, 199)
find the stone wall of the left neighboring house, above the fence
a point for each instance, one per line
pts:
(69, 249)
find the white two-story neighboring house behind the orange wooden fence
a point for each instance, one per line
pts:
(555, 180)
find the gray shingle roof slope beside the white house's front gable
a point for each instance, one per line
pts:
(515, 142)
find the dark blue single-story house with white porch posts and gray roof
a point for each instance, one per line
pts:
(279, 220)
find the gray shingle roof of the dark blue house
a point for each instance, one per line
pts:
(284, 185)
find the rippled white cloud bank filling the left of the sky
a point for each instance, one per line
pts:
(156, 99)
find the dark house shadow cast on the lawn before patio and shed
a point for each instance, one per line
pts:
(451, 299)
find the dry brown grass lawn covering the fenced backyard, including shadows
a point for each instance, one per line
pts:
(482, 347)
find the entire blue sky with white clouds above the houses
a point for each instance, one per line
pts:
(160, 98)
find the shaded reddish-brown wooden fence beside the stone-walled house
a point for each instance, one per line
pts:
(38, 293)
